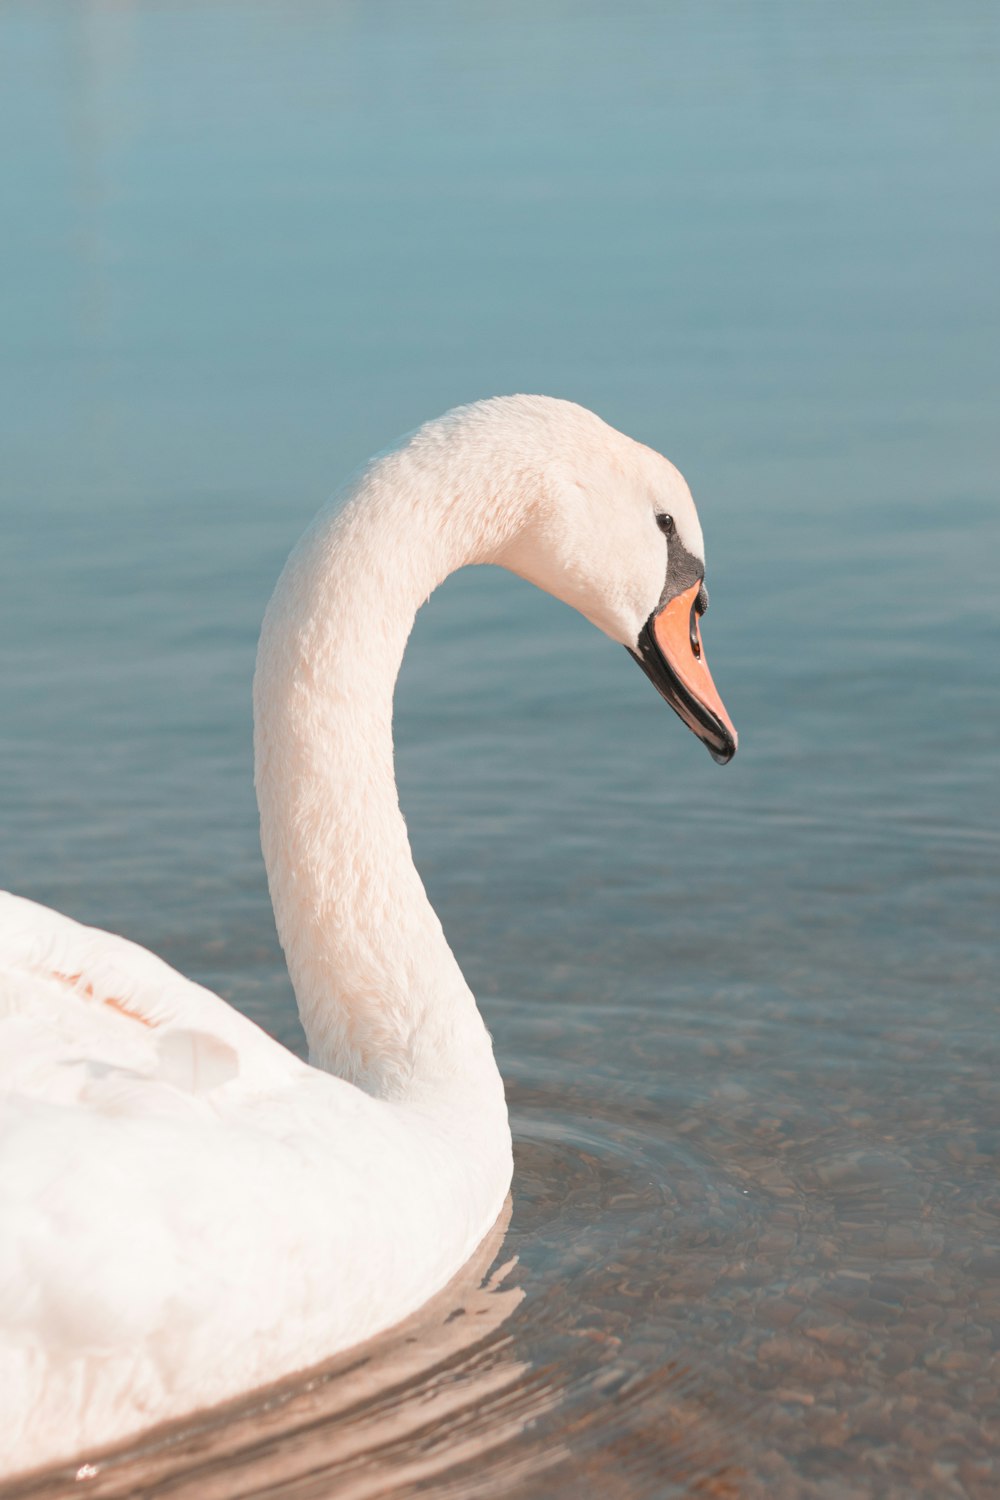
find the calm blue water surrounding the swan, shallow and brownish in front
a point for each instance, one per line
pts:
(747, 1016)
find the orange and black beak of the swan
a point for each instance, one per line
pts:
(672, 658)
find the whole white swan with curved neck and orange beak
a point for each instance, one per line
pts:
(187, 1211)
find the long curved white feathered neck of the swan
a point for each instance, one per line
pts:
(382, 998)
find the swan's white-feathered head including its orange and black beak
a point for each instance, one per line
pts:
(615, 535)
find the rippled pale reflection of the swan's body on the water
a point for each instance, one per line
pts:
(430, 1394)
